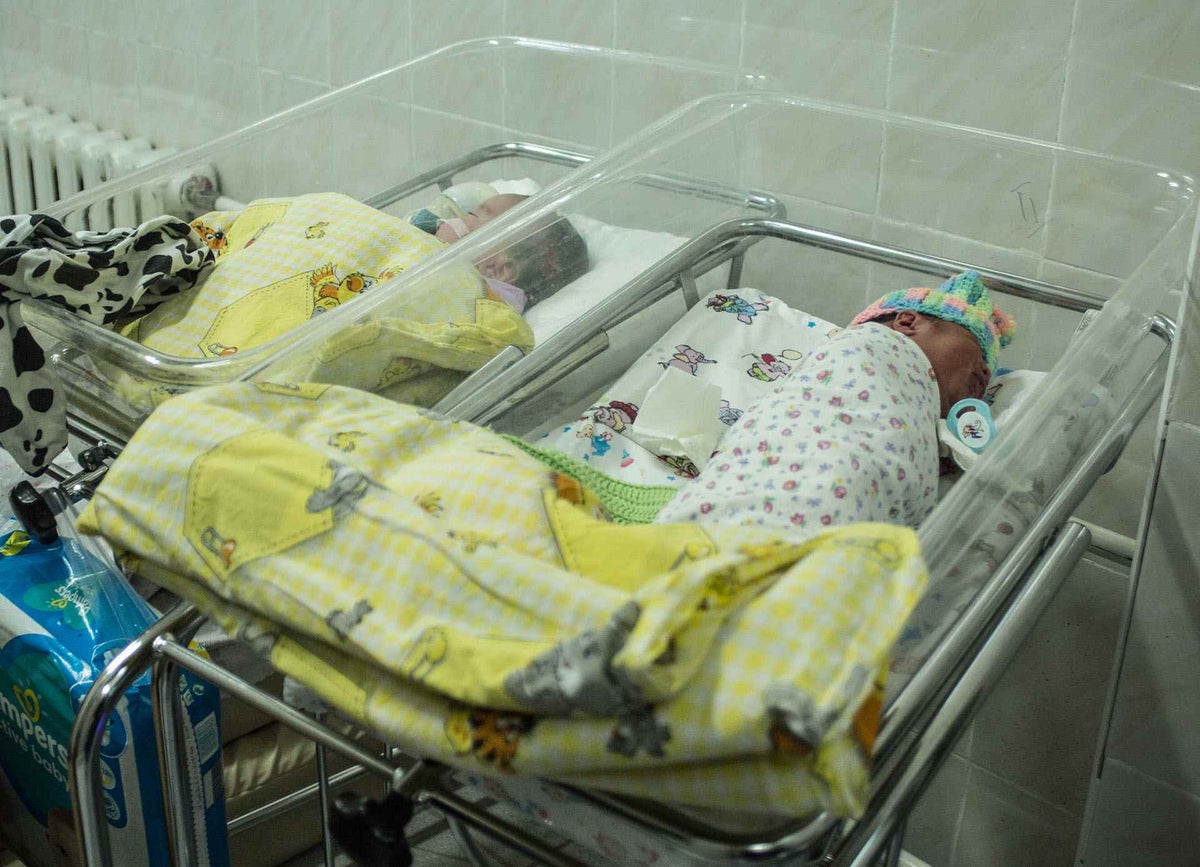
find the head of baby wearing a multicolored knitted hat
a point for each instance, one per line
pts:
(958, 328)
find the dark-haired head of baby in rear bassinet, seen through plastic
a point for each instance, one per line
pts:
(543, 262)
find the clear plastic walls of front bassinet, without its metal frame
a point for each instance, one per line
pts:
(1025, 210)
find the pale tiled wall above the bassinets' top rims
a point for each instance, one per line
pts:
(1117, 76)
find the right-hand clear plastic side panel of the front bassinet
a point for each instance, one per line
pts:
(1031, 471)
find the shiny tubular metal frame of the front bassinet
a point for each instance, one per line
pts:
(920, 726)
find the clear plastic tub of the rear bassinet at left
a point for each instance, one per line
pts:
(393, 142)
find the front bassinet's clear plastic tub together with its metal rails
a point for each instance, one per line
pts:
(879, 202)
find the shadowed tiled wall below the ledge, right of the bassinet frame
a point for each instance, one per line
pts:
(1015, 790)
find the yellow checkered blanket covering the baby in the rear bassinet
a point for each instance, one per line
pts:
(286, 261)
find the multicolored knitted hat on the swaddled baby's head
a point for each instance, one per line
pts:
(964, 301)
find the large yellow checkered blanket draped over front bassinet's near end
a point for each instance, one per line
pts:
(470, 605)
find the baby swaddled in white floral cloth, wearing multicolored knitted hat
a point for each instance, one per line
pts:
(851, 433)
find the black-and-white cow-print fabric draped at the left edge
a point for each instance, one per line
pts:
(99, 276)
